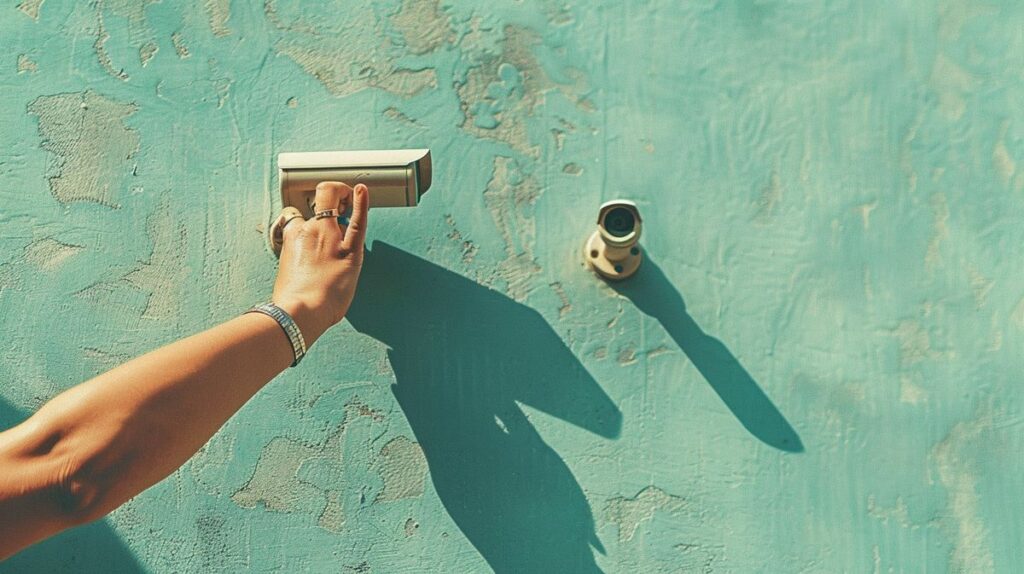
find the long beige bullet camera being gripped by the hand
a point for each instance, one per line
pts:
(397, 179)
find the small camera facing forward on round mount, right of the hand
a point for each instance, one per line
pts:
(614, 250)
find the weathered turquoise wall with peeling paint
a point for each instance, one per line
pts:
(818, 370)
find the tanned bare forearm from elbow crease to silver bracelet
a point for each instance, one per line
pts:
(127, 429)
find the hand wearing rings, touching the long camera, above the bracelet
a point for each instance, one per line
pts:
(321, 261)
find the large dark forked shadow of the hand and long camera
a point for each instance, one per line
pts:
(463, 357)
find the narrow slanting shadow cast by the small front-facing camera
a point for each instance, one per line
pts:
(653, 294)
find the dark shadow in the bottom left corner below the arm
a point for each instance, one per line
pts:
(93, 548)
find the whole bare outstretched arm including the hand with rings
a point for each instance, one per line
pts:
(99, 445)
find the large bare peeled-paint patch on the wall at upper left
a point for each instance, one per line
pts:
(92, 146)
